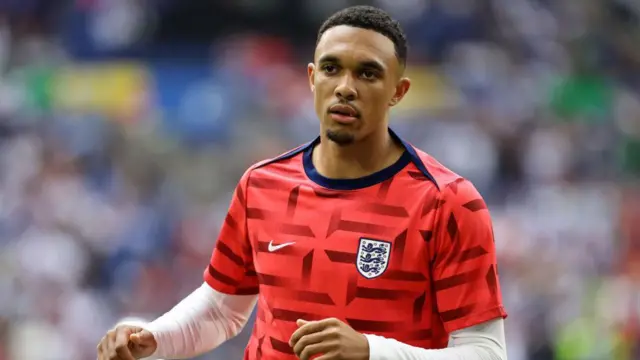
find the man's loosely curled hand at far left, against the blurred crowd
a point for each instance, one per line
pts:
(126, 342)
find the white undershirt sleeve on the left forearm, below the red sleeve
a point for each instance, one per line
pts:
(200, 322)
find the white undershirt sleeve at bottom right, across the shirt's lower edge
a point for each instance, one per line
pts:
(484, 341)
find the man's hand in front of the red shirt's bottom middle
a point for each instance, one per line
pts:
(332, 338)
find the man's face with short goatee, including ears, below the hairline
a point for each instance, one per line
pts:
(355, 78)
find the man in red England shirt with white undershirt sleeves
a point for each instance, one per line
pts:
(355, 246)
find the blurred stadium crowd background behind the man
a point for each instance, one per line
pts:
(125, 125)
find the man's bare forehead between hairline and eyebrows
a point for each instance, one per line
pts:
(349, 43)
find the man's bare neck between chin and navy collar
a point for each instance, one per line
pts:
(356, 160)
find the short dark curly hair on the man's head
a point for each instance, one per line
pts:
(370, 18)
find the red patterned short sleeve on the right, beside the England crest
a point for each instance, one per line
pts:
(463, 258)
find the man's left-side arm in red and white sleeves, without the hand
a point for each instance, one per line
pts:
(219, 309)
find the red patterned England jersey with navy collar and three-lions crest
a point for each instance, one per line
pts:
(406, 253)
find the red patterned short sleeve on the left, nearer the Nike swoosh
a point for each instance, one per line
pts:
(231, 269)
